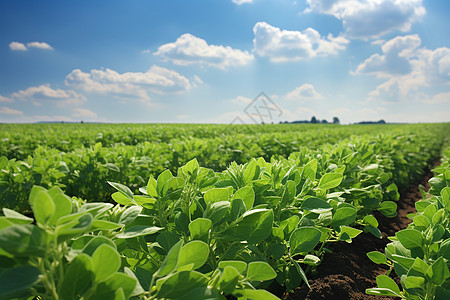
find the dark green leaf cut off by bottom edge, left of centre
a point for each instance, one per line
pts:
(180, 283)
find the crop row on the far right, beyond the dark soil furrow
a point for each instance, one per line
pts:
(420, 254)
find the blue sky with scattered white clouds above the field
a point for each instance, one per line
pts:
(224, 61)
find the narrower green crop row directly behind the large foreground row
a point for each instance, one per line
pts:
(85, 171)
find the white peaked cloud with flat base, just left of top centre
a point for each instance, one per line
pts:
(189, 49)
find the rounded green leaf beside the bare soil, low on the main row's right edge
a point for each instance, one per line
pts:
(304, 239)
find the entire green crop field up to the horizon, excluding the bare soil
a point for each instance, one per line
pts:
(119, 211)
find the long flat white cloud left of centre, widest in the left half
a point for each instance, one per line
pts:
(130, 84)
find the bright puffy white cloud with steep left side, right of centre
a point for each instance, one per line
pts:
(284, 45)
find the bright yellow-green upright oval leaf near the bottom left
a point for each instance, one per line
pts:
(105, 262)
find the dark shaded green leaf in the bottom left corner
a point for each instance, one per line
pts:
(16, 280)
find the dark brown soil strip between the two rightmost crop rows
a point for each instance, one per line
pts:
(348, 272)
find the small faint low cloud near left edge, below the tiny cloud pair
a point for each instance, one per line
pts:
(45, 92)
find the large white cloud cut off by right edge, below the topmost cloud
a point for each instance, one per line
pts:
(406, 68)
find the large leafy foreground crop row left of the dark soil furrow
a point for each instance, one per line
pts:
(202, 234)
